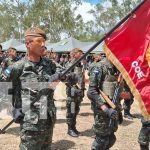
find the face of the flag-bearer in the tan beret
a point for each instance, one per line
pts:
(36, 46)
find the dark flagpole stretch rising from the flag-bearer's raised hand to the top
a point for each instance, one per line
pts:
(103, 38)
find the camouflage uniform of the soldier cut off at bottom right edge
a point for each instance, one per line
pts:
(144, 135)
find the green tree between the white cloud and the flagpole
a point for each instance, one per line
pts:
(108, 13)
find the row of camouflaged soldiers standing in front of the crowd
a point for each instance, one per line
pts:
(36, 133)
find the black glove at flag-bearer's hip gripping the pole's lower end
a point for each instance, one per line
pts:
(17, 115)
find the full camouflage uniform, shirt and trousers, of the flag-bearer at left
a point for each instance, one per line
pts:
(36, 133)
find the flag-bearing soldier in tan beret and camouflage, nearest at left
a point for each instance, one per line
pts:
(36, 133)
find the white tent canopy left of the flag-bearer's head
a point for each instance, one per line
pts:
(10, 43)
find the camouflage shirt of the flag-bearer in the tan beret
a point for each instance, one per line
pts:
(33, 93)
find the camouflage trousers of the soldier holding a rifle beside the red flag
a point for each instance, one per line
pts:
(105, 137)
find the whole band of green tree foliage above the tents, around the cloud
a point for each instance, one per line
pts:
(57, 17)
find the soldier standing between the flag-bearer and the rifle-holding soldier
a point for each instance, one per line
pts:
(75, 92)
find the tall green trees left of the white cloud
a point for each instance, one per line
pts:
(54, 16)
